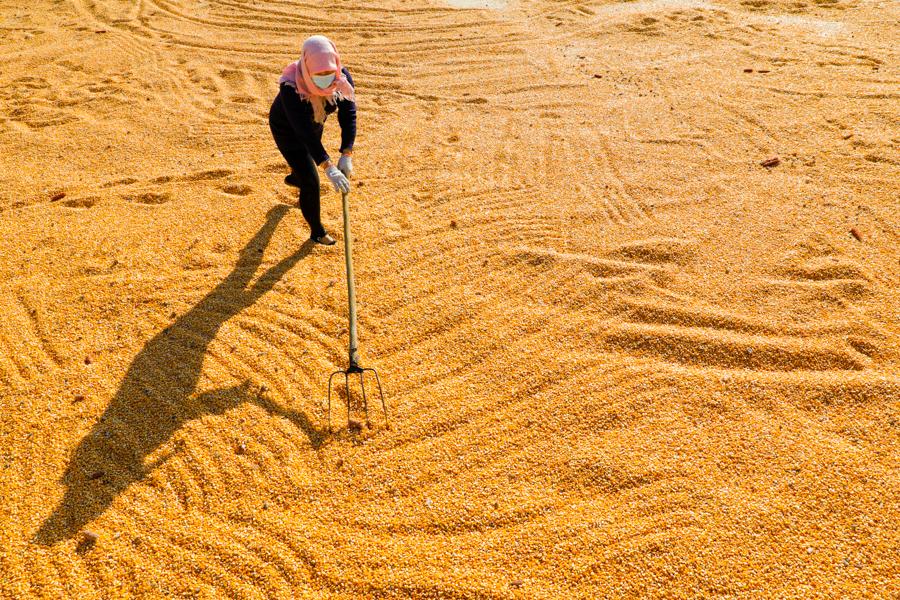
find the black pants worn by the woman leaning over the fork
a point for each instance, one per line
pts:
(302, 165)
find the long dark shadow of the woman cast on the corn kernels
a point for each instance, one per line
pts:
(156, 396)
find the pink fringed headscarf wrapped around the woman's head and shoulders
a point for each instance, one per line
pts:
(318, 54)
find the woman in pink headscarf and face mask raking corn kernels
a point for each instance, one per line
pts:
(311, 89)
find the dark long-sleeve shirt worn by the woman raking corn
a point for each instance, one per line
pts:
(299, 114)
